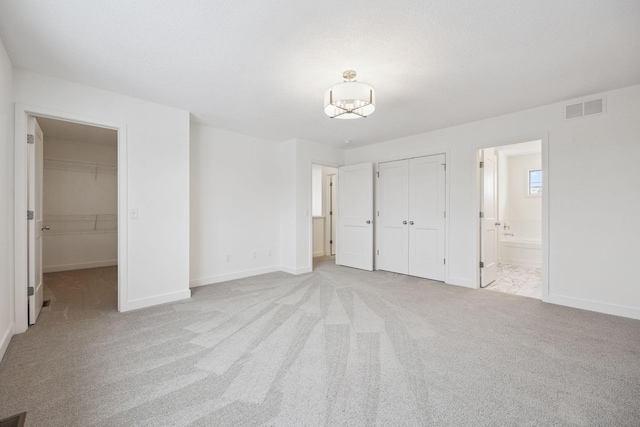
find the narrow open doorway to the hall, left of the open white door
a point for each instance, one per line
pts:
(323, 202)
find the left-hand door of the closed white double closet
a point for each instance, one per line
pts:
(392, 235)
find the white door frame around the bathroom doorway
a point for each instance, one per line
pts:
(477, 193)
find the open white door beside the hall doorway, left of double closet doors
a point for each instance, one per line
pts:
(355, 216)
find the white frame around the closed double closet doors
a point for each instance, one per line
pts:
(447, 199)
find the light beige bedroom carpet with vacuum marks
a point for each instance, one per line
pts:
(334, 347)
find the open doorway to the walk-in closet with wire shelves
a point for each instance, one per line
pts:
(75, 262)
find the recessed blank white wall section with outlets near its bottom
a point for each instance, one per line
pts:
(235, 205)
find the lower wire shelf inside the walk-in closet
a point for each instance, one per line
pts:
(80, 224)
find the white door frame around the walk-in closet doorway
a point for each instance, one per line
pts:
(20, 202)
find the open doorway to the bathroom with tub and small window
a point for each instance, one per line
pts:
(510, 205)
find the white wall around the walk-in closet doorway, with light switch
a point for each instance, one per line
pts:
(157, 180)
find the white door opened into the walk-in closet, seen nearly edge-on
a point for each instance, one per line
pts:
(34, 204)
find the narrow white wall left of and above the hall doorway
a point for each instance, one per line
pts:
(297, 156)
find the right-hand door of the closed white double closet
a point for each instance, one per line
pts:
(427, 217)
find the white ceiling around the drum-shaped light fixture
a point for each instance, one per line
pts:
(261, 67)
